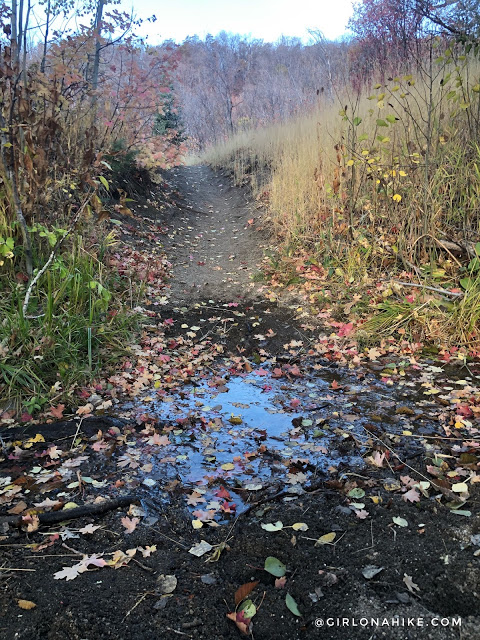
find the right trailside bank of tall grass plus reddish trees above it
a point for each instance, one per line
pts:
(374, 189)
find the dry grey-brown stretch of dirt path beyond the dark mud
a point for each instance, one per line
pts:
(214, 250)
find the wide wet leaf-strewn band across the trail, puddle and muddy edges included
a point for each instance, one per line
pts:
(229, 438)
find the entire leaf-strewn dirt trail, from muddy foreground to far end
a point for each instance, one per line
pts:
(255, 447)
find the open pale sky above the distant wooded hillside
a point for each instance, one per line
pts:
(264, 19)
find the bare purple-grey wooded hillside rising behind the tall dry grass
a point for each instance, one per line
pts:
(229, 83)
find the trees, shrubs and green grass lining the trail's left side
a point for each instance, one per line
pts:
(80, 108)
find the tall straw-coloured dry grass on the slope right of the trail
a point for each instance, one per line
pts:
(380, 187)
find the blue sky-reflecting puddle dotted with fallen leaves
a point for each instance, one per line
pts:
(270, 429)
